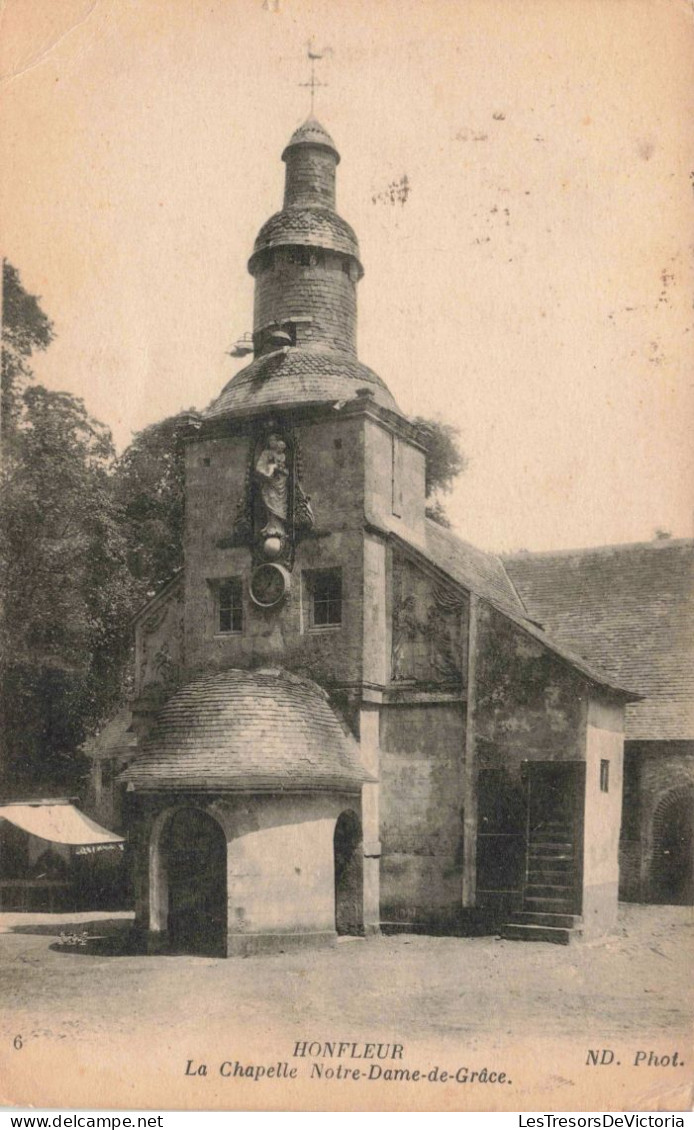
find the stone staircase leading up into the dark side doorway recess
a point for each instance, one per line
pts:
(549, 893)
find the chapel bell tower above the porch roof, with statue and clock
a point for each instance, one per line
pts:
(302, 450)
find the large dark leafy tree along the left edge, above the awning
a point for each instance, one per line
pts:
(67, 593)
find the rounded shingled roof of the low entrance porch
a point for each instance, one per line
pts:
(264, 731)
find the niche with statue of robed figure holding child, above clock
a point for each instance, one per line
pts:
(274, 512)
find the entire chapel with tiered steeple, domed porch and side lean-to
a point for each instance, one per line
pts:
(348, 720)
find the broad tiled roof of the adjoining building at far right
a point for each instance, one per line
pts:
(630, 611)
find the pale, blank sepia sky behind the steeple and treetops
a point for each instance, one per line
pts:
(534, 290)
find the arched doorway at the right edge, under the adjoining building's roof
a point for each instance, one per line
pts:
(673, 860)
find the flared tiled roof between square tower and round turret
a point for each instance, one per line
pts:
(298, 377)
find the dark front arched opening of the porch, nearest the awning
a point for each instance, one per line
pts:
(196, 865)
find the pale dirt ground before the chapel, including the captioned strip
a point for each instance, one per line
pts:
(135, 1030)
